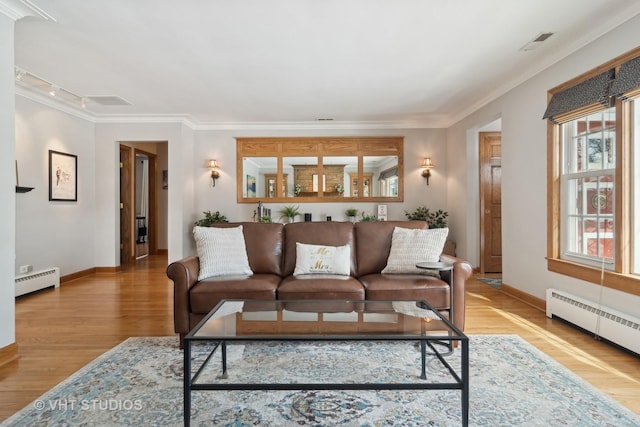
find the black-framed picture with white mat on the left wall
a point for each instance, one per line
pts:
(63, 176)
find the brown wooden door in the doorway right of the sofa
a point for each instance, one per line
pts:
(490, 202)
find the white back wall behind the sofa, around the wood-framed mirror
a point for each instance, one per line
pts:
(221, 145)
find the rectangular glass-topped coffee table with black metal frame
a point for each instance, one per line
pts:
(337, 322)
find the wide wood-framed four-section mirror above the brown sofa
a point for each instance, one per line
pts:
(325, 169)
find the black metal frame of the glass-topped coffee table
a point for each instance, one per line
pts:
(461, 381)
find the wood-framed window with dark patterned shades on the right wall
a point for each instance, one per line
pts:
(594, 165)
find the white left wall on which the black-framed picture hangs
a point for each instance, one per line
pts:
(53, 233)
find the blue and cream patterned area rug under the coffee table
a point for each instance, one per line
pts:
(139, 383)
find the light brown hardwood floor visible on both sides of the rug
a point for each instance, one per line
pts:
(59, 331)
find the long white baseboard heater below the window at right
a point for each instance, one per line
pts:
(604, 322)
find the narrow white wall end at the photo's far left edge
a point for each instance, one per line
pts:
(7, 186)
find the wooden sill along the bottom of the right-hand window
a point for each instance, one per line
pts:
(621, 282)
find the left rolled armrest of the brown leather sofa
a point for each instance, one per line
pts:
(184, 274)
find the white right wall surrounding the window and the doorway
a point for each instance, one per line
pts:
(524, 183)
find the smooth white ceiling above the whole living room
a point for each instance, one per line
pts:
(418, 63)
